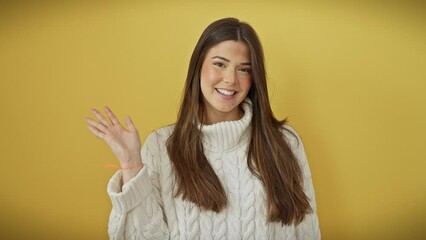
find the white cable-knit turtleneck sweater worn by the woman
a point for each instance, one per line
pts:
(146, 208)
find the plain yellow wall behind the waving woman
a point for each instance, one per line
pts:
(350, 77)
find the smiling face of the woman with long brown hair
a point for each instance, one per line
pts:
(225, 80)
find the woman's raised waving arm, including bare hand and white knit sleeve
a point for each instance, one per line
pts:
(136, 205)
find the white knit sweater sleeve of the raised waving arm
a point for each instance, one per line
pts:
(137, 209)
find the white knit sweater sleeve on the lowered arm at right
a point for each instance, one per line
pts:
(308, 229)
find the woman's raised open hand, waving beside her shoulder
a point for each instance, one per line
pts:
(124, 143)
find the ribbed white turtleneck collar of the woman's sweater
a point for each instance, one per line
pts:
(227, 135)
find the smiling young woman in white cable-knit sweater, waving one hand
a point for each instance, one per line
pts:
(228, 169)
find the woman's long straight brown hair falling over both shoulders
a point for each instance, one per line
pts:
(269, 155)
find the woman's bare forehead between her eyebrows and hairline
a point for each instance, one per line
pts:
(230, 49)
